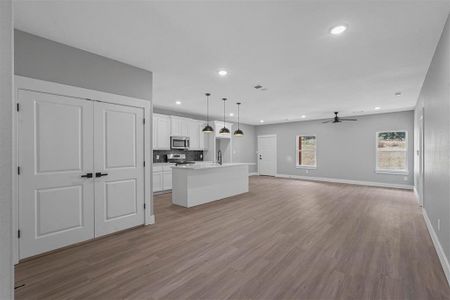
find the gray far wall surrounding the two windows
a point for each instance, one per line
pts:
(344, 150)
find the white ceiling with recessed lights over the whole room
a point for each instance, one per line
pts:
(284, 46)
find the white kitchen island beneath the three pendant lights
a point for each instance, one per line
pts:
(202, 183)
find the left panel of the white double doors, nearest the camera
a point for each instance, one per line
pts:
(56, 148)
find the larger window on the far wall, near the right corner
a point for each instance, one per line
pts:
(392, 152)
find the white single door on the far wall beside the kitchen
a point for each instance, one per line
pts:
(267, 155)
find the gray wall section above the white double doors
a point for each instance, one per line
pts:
(44, 59)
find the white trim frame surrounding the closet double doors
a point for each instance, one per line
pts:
(36, 85)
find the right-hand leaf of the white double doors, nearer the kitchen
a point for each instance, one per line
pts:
(119, 167)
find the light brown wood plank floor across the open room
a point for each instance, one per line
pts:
(285, 239)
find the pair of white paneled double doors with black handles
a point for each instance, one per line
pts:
(81, 170)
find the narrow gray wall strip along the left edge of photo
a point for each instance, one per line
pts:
(6, 58)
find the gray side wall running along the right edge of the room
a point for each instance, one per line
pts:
(435, 98)
